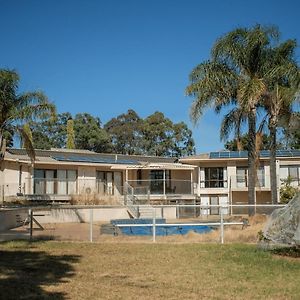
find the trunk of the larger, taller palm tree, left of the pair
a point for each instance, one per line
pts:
(251, 161)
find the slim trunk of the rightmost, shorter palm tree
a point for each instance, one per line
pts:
(273, 173)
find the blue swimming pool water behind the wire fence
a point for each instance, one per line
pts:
(160, 230)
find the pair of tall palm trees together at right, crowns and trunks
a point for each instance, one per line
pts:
(248, 69)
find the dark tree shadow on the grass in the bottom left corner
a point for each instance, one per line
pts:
(24, 274)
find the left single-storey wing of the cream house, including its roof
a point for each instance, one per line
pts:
(59, 174)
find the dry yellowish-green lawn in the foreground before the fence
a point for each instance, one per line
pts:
(65, 270)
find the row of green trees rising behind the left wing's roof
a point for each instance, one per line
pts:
(125, 134)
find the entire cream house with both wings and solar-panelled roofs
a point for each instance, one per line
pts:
(215, 178)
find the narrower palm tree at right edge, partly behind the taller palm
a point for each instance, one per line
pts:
(283, 86)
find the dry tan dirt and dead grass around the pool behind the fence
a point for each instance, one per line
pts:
(81, 232)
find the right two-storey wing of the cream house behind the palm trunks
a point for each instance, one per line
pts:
(223, 177)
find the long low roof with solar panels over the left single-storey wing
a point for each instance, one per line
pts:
(79, 156)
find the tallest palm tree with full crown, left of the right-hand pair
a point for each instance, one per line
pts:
(235, 75)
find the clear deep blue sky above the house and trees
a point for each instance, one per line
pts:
(105, 57)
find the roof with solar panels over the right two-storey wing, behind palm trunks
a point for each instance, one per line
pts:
(240, 155)
